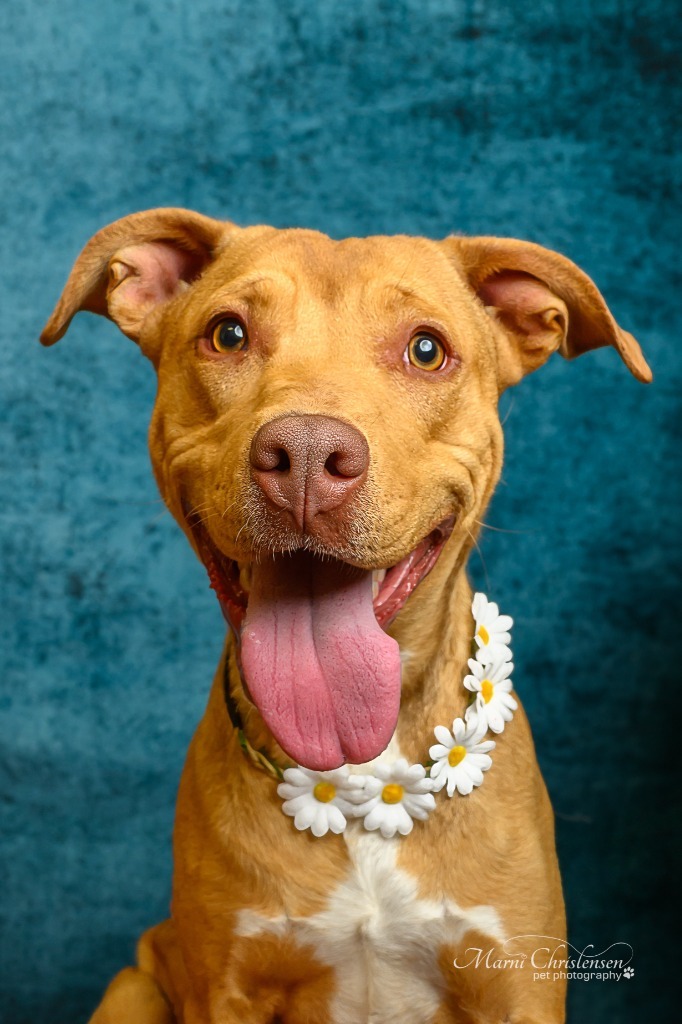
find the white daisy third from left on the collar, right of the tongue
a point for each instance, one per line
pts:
(460, 757)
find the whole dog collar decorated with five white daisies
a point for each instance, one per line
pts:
(391, 797)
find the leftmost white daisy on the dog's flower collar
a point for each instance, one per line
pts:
(321, 801)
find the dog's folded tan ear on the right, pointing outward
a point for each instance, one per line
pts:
(543, 303)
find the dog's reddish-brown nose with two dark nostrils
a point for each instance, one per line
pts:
(309, 465)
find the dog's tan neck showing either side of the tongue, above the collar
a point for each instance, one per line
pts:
(435, 635)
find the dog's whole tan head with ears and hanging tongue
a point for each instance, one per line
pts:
(326, 430)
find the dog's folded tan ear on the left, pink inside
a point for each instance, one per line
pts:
(134, 265)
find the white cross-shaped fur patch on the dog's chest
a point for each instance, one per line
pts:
(381, 940)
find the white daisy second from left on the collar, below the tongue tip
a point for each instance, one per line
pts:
(399, 794)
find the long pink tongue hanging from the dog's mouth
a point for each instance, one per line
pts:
(325, 676)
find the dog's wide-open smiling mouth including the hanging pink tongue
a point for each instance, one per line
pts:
(315, 656)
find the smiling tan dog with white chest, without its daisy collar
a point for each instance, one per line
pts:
(325, 410)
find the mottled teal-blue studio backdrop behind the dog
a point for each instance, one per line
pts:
(552, 121)
